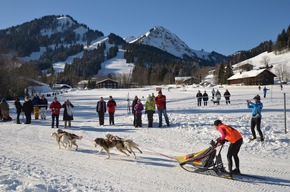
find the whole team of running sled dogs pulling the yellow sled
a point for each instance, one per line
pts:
(125, 146)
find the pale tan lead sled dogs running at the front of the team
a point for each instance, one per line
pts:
(65, 138)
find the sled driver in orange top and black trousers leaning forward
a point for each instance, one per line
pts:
(236, 140)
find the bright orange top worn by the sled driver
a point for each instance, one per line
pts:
(229, 133)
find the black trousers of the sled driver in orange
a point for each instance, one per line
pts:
(233, 151)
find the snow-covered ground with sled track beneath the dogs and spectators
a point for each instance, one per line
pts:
(31, 161)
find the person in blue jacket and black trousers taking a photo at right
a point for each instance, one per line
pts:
(256, 116)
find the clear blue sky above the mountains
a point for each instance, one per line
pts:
(225, 26)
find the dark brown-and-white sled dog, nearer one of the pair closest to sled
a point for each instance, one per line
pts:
(107, 144)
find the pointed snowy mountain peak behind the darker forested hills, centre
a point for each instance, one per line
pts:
(165, 40)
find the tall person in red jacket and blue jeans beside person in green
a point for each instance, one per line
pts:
(160, 102)
